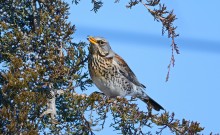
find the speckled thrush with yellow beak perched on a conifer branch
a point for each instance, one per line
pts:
(112, 75)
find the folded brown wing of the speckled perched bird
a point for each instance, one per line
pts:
(126, 71)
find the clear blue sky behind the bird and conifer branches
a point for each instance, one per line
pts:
(193, 89)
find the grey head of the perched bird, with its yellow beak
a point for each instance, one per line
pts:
(100, 46)
